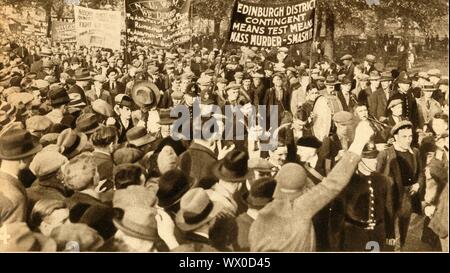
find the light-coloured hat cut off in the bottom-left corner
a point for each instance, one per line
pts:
(22, 239)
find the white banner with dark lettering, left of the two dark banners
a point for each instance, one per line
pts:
(98, 28)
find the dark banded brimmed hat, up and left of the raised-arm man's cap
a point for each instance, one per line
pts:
(232, 168)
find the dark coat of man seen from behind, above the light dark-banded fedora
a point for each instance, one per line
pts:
(198, 162)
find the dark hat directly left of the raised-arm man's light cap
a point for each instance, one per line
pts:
(261, 193)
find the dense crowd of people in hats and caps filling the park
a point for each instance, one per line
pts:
(89, 154)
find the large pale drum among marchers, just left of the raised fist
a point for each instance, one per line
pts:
(324, 109)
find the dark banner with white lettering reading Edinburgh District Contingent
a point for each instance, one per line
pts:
(272, 25)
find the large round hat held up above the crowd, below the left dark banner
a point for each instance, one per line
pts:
(145, 94)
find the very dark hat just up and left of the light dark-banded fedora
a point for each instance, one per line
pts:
(172, 186)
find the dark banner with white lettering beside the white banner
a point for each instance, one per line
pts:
(158, 23)
